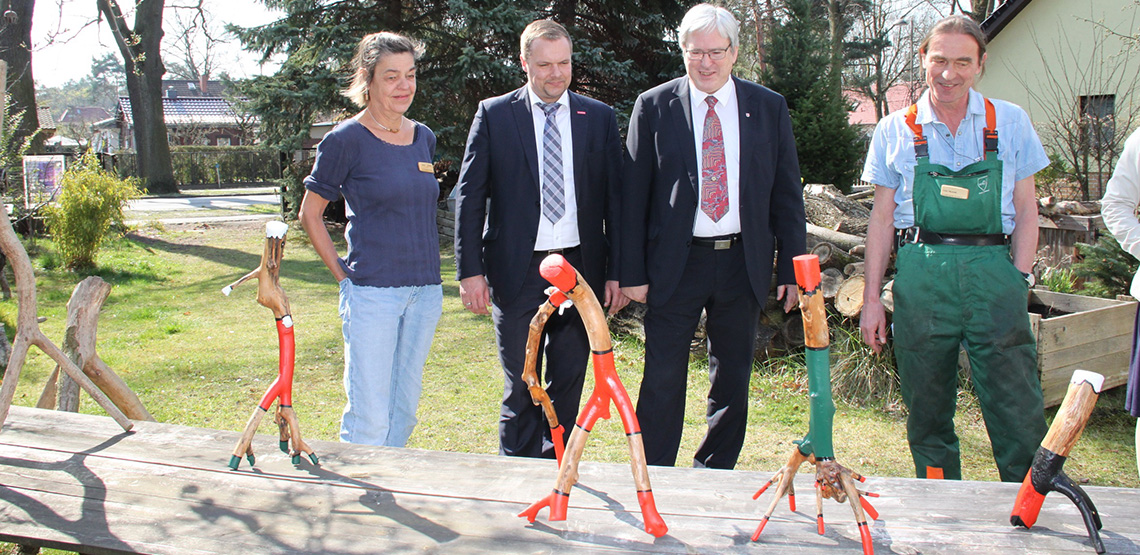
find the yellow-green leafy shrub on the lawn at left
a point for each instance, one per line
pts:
(91, 202)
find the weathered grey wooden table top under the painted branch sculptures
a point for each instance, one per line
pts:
(78, 483)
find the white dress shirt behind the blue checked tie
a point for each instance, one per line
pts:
(563, 234)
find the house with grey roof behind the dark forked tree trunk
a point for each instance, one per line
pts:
(197, 113)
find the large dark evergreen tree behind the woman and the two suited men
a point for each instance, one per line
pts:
(473, 53)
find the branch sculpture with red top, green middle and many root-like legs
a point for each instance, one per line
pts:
(833, 480)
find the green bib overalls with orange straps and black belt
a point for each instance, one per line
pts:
(957, 283)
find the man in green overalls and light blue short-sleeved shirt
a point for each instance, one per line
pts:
(955, 192)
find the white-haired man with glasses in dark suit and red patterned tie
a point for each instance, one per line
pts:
(712, 194)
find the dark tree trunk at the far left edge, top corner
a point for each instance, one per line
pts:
(15, 39)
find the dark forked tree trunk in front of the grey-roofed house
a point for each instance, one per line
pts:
(142, 51)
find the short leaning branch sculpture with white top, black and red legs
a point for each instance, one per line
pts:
(1047, 474)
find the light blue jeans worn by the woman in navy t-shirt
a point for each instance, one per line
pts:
(388, 332)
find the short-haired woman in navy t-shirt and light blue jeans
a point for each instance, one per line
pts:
(390, 292)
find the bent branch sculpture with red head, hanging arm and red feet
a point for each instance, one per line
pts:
(569, 285)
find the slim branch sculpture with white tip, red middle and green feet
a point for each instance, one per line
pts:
(272, 297)
